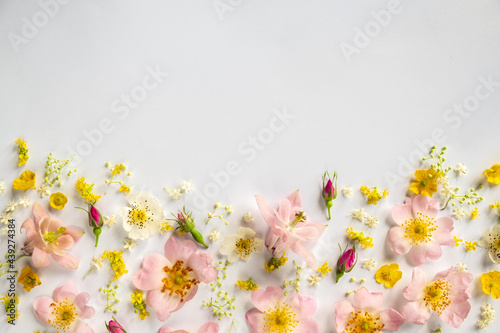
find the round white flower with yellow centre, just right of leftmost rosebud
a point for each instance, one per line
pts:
(143, 219)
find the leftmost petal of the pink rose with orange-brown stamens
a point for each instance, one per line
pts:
(151, 274)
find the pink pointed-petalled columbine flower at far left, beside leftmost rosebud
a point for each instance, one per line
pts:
(50, 236)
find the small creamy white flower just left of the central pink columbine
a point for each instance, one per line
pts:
(241, 245)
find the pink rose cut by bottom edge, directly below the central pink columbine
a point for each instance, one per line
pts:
(275, 313)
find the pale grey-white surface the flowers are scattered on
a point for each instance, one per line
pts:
(228, 73)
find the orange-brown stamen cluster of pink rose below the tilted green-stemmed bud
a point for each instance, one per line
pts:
(177, 280)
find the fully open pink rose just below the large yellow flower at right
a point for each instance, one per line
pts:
(419, 232)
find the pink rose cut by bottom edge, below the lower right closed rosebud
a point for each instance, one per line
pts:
(364, 314)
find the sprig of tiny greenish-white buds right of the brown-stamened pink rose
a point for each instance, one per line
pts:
(221, 304)
